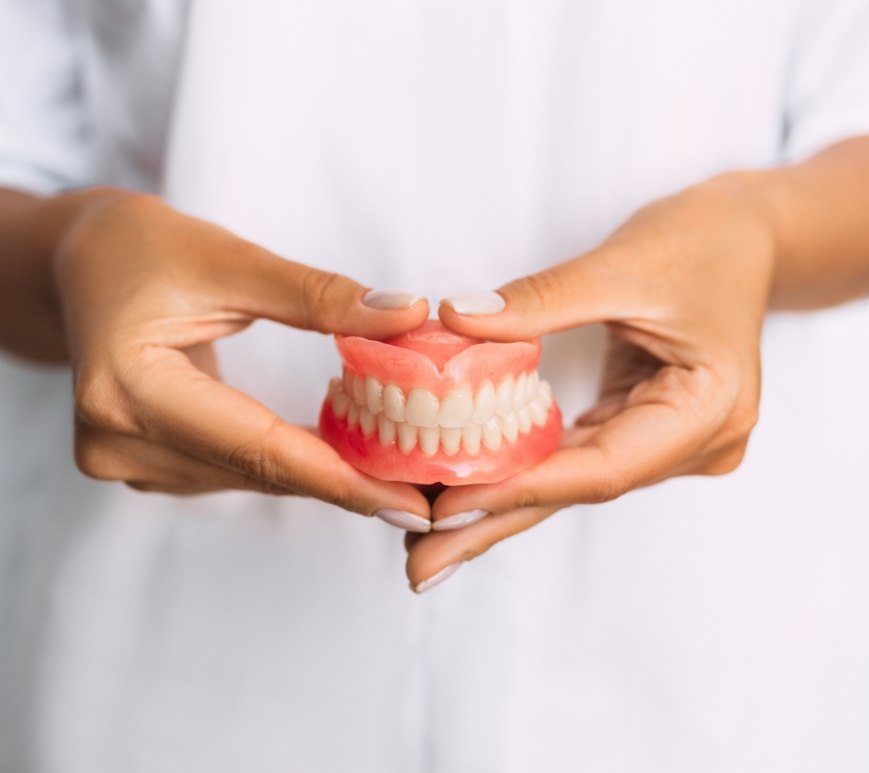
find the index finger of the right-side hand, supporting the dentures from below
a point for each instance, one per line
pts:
(665, 423)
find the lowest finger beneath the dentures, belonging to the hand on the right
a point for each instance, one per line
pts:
(434, 552)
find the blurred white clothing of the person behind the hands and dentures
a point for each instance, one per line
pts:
(442, 145)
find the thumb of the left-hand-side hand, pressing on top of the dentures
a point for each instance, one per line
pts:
(311, 299)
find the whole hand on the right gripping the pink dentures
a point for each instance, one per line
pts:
(682, 288)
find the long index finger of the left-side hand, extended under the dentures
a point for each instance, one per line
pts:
(181, 407)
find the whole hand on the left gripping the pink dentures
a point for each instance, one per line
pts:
(144, 292)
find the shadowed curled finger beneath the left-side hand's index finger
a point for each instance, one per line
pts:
(148, 466)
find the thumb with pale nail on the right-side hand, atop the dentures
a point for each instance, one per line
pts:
(577, 292)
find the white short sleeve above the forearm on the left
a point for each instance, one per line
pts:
(43, 131)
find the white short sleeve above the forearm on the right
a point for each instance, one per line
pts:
(827, 93)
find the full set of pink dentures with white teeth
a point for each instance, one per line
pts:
(432, 406)
